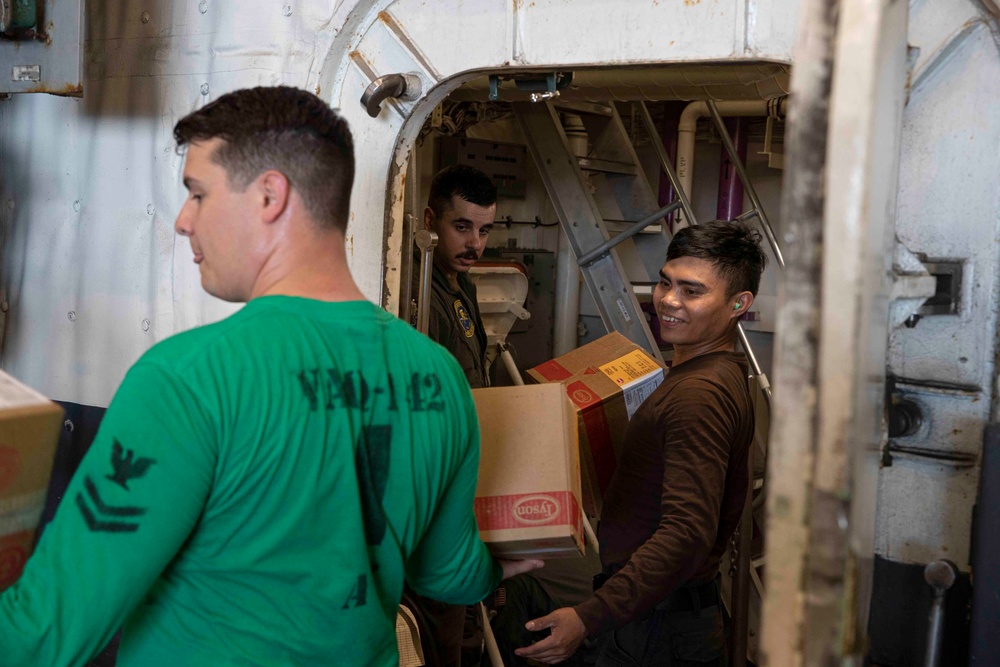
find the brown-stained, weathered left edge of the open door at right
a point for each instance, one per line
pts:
(795, 412)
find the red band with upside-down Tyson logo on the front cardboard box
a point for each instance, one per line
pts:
(528, 510)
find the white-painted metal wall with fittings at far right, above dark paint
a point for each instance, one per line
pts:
(948, 208)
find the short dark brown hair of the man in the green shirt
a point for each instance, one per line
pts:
(286, 129)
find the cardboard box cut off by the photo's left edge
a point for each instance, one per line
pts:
(29, 429)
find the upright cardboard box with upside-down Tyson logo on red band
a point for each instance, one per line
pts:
(528, 498)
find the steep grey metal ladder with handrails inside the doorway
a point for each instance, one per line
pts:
(625, 189)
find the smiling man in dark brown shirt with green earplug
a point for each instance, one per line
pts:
(678, 491)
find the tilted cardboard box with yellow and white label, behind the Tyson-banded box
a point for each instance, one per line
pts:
(606, 380)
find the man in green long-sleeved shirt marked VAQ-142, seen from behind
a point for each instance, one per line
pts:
(260, 488)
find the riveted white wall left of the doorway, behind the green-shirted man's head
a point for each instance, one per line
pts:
(93, 274)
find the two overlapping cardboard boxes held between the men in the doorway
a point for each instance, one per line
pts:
(550, 449)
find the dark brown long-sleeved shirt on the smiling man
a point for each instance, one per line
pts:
(678, 492)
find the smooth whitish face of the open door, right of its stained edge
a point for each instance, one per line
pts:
(866, 110)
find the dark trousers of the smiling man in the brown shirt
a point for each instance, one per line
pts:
(680, 632)
